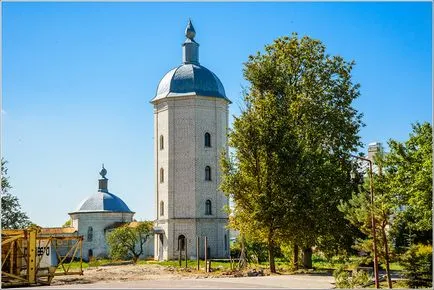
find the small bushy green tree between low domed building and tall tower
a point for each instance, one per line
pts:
(129, 240)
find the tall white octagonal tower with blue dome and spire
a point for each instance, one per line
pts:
(190, 132)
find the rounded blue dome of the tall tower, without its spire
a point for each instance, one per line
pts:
(190, 79)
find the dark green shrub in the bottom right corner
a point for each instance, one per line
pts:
(418, 269)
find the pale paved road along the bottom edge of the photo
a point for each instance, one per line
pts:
(283, 281)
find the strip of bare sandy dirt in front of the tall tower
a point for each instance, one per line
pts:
(129, 272)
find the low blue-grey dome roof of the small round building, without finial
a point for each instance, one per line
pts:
(103, 201)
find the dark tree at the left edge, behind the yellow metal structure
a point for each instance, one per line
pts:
(12, 215)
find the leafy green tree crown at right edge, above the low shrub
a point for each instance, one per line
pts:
(409, 164)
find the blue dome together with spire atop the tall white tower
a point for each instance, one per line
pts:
(190, 78)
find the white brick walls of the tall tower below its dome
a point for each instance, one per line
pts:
(183, 121)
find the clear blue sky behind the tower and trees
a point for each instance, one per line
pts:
(78, 77)
